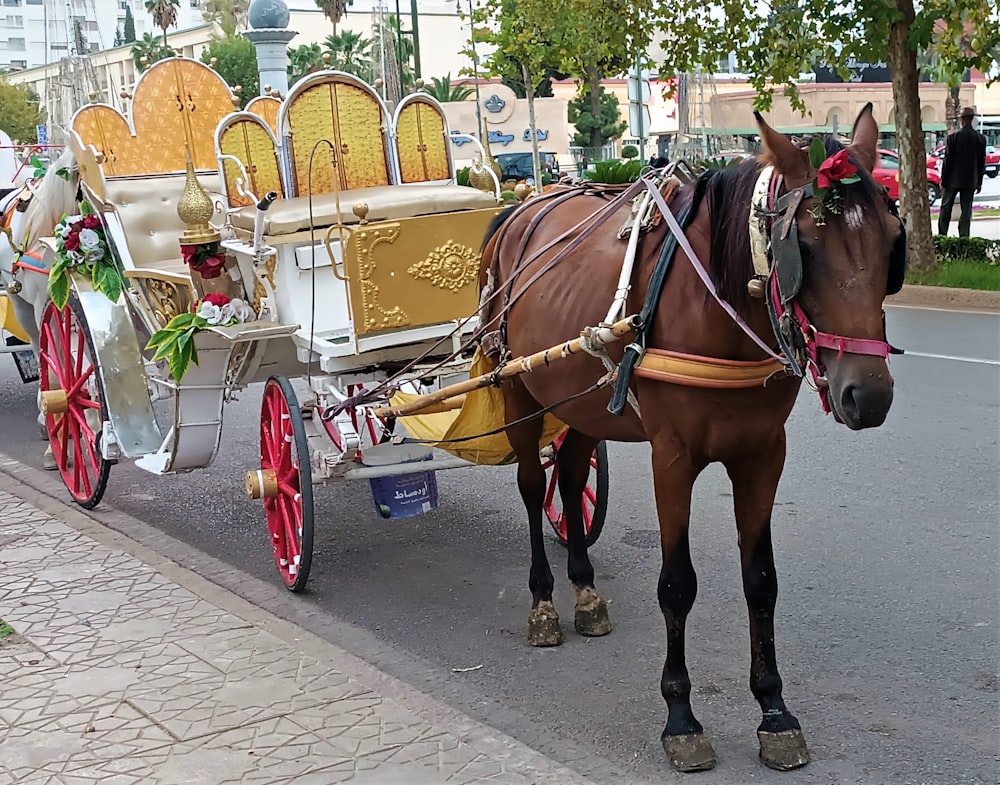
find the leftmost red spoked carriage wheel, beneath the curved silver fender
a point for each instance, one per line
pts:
(73, 402)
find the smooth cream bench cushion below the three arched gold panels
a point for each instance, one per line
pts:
(386, 202)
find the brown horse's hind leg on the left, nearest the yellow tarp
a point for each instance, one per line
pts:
(543, 621)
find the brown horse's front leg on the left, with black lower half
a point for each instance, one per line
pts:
(683, 738)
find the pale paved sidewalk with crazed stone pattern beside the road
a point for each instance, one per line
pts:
(123, 673)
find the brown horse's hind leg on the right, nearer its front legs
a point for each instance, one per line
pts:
(591, 615)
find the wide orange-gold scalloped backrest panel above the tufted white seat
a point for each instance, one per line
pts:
(177, 104)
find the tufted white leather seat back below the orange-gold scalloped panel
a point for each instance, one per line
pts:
(147, 209)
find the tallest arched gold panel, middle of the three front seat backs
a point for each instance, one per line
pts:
(350, 117)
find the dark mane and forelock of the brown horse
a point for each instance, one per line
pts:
(729, 193)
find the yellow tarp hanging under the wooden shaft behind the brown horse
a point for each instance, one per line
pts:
(481, 412)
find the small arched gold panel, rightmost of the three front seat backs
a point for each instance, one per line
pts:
(421, 142)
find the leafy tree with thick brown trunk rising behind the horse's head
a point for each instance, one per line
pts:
(776, 43)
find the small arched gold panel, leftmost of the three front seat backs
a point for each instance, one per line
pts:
(247, 138)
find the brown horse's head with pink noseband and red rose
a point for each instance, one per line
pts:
(835, 254)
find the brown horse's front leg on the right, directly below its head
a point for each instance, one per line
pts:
(755, 482)
